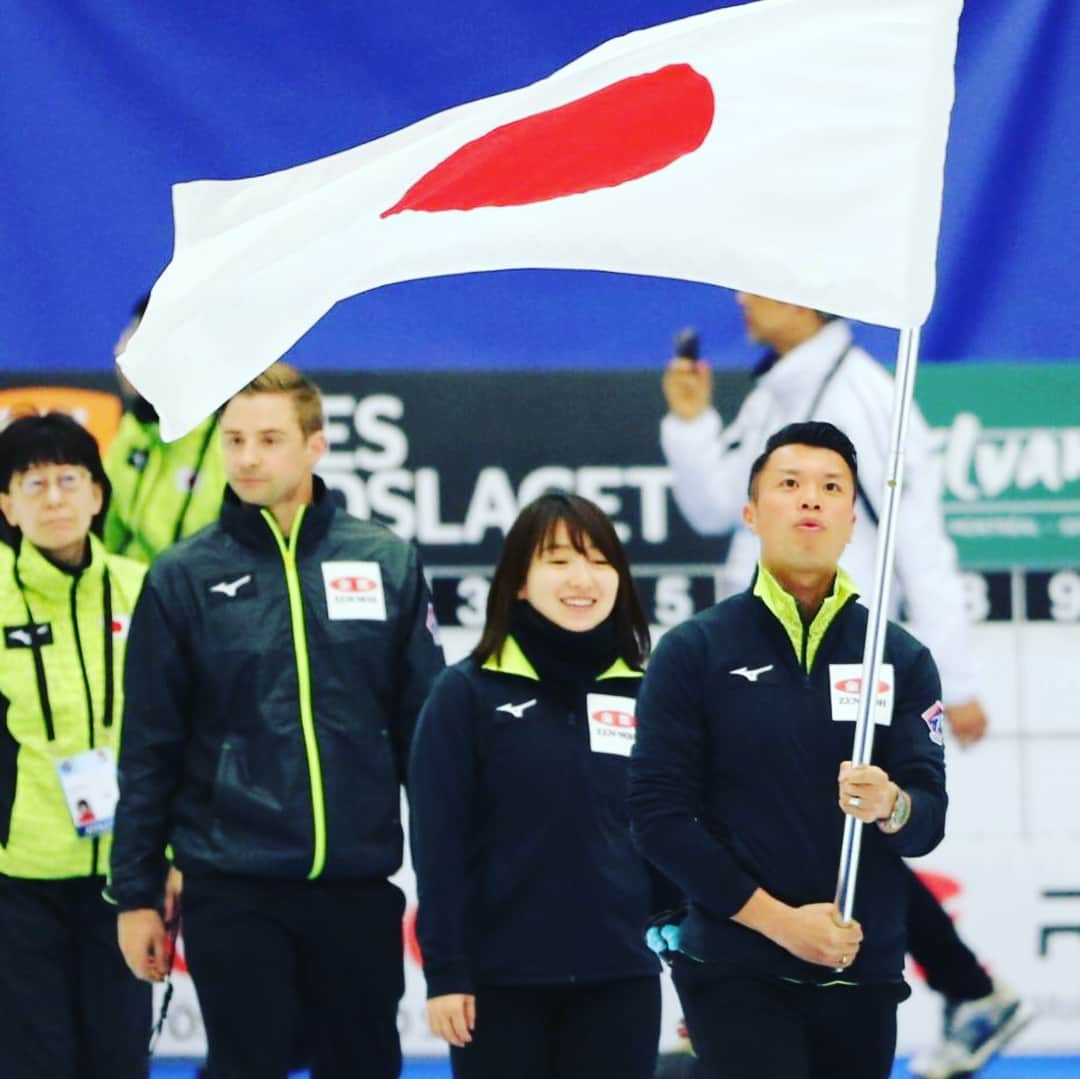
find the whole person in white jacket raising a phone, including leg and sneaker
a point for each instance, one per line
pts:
(815, 371)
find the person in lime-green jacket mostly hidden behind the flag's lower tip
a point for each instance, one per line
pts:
(161, 491)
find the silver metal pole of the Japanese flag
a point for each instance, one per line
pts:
(908, 361)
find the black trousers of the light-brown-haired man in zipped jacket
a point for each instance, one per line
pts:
(261, 951)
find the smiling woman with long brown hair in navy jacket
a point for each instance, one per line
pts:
(533, 899)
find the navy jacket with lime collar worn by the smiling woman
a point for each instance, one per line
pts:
(525, 868)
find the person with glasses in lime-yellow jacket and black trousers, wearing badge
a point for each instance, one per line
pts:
(70, 1009)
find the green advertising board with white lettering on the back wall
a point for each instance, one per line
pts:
(1009, 438)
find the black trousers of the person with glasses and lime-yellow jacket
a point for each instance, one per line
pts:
(70, 1008)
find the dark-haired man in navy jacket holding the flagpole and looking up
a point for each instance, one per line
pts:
(740, 783)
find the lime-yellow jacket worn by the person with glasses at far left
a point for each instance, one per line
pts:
(62, 663)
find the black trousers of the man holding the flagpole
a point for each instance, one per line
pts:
(749, 1029)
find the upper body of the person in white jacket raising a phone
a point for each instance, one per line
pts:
(820, 374)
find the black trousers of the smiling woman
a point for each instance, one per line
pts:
(599, 1031)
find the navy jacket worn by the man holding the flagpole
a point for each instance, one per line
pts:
(734, 783)
